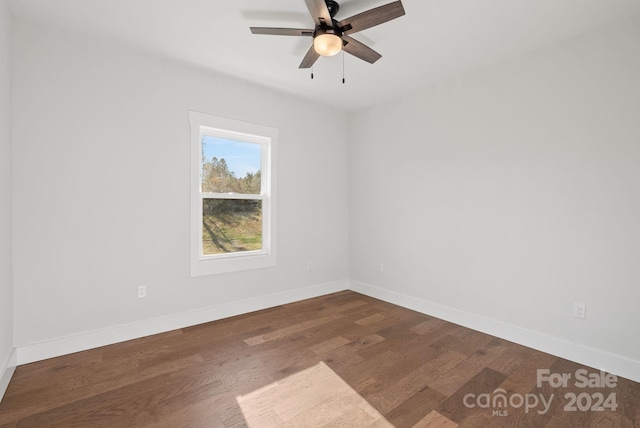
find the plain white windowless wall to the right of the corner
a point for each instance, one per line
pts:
(511, 192)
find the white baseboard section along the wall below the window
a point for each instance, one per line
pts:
(93, 339)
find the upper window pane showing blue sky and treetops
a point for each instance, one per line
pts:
(230, 166)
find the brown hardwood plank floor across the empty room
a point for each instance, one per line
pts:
(412, 369)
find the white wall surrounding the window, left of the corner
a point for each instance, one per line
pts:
(101, 187)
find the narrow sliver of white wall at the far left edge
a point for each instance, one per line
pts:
(6, 298)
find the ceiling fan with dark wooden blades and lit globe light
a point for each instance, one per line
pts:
(331, 36)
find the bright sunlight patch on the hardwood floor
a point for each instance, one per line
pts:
(315, 397)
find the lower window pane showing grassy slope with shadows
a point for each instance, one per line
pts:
(231, 225)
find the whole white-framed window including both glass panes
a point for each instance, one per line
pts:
(232, 195)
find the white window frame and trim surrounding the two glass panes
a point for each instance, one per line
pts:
(205, 124)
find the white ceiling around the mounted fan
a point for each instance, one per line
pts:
(434, 40)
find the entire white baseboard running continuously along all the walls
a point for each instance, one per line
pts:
(591, 357)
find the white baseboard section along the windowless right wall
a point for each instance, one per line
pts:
(598, 359)
